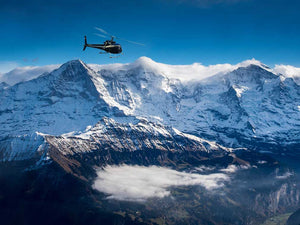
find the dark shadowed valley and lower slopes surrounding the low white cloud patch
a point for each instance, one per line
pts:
(62, 190)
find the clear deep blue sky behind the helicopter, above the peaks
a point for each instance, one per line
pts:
(174, 31)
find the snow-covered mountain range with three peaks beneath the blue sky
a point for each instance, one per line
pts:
(230, 105)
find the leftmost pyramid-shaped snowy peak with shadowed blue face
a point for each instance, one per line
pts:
(62, 101)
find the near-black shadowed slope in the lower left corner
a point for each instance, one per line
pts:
(51, 196)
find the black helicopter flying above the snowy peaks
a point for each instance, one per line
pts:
(109, 46)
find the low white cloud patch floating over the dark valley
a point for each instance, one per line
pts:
(137, 183)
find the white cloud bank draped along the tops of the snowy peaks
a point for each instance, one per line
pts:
(185, 73)
